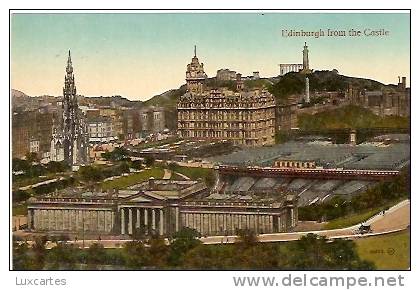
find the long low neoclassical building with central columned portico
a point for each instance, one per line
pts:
(158, 206)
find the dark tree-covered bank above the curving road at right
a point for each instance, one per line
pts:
(374, 197)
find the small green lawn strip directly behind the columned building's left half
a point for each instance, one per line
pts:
(126, 181)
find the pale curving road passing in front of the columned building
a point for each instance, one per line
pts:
(394, 219)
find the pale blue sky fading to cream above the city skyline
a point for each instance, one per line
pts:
(140, 55)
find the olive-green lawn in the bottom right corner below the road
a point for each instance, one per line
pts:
(388, 252)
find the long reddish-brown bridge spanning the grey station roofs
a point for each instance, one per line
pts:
(313, 173)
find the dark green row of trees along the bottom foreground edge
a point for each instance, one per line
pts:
(185, 251)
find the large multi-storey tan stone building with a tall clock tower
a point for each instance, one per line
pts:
(244, 117)
